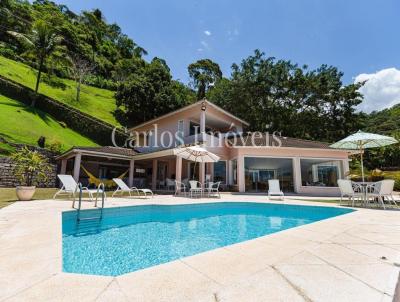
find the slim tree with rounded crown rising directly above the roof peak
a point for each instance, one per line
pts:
(203, 73)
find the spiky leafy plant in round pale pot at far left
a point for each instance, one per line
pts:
(30, 168)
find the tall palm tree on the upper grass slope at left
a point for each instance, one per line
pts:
(41, 42)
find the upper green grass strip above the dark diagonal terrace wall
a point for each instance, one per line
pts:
(97, 102)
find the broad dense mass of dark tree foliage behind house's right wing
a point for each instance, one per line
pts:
(280, 95)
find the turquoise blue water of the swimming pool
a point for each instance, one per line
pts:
(132, 238)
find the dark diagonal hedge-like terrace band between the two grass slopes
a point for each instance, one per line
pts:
(95, 129)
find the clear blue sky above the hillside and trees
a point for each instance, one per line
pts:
(358, 36)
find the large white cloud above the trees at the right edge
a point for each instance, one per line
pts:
(382, 89)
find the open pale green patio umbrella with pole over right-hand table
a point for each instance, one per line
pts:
(363, 140)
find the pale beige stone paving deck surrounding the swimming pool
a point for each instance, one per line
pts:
(353, 257)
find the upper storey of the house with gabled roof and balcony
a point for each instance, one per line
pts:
(202, 121)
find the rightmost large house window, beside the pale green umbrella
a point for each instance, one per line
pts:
(320, 173)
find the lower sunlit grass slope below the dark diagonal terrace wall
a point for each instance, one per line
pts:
(23, 124)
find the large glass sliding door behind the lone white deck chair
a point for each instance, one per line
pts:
(258, 170)
